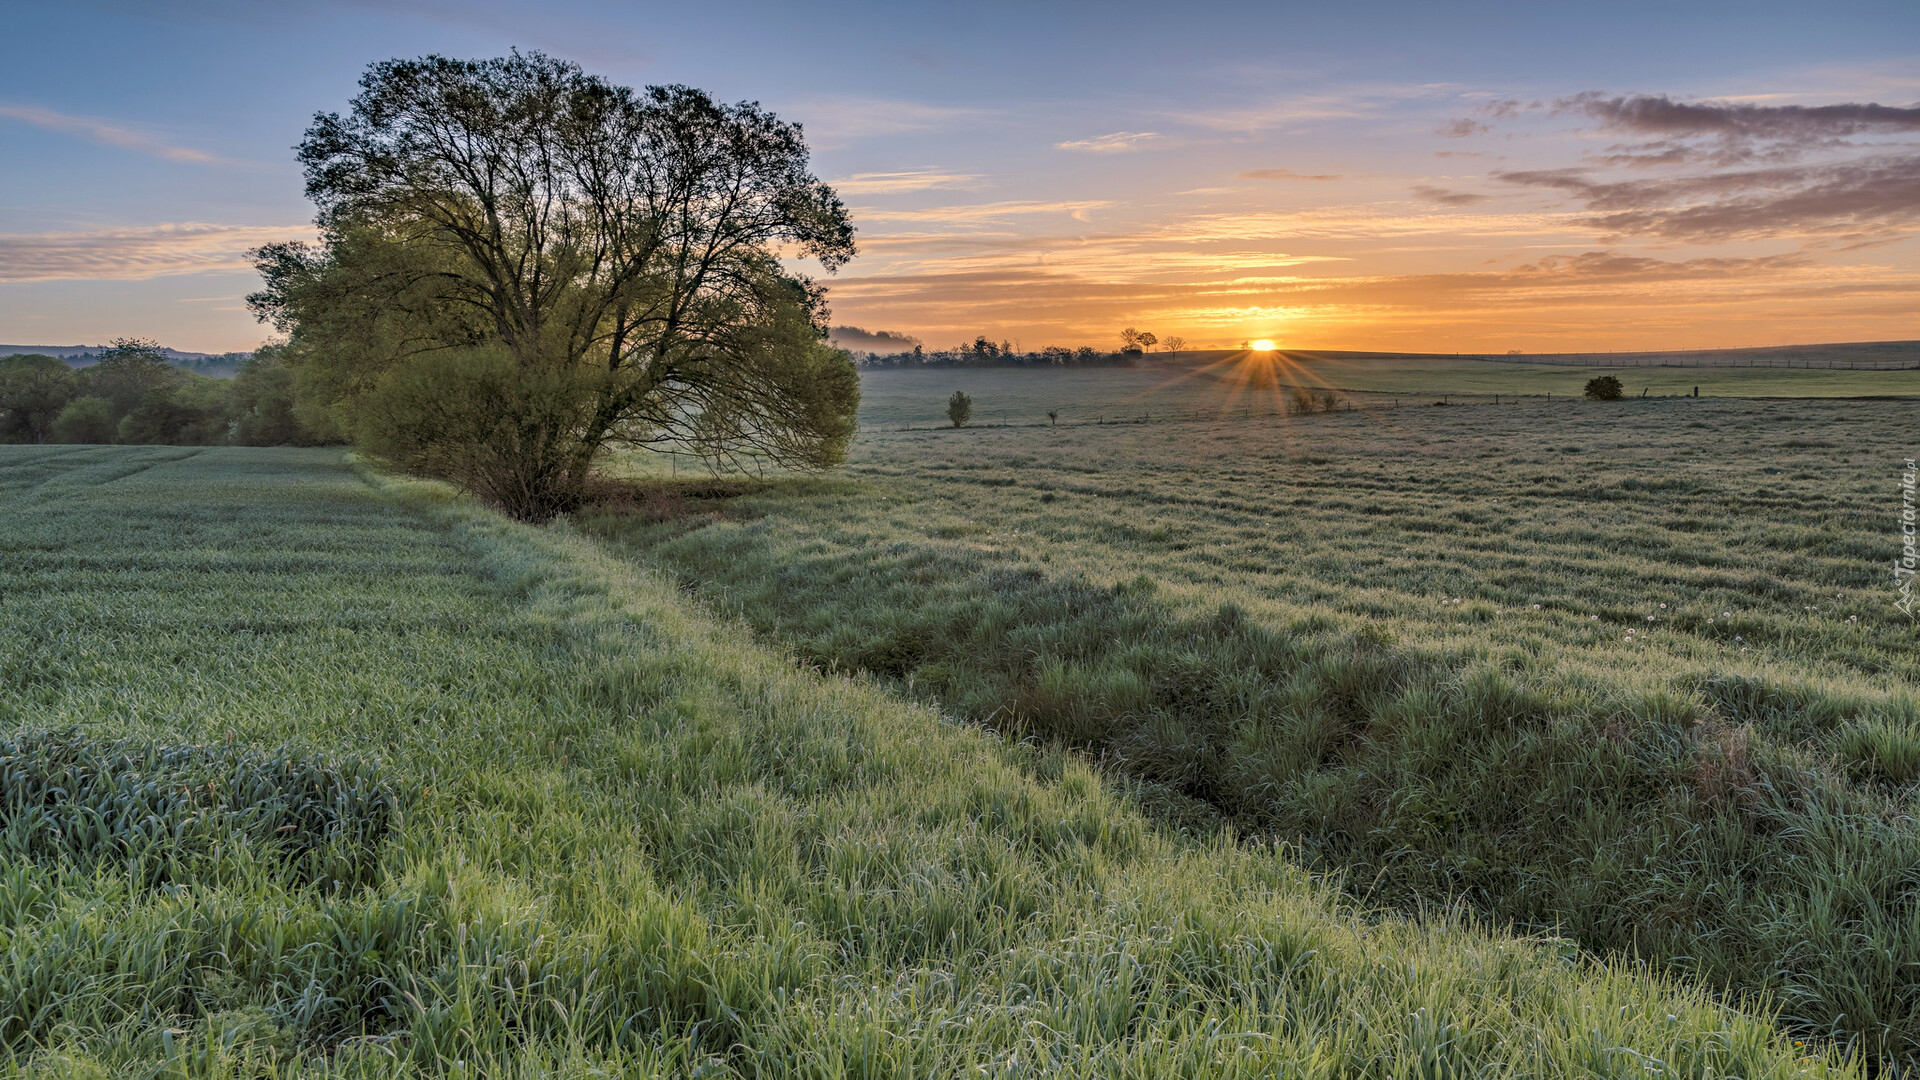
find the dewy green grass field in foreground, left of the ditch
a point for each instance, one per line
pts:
(579, 829)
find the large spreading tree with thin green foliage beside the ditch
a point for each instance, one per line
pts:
(525, 266)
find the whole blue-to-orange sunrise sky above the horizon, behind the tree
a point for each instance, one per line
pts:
(1374, 176)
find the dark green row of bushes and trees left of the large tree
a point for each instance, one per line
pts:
(133, 395)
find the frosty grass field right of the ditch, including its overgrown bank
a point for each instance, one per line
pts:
(1627, 672)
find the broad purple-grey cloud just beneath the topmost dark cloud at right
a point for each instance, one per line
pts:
(1852, 201)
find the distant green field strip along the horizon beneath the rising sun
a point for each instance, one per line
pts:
(1243, 383)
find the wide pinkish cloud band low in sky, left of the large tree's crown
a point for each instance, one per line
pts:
(137, 253)
